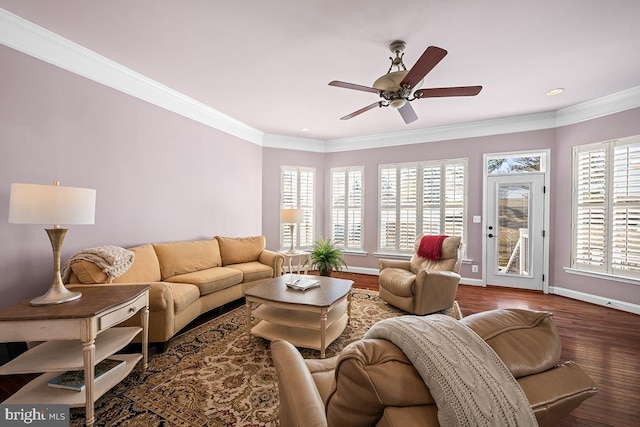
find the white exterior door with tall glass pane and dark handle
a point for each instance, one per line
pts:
(514, 232)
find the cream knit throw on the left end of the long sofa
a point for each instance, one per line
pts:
(113, 260)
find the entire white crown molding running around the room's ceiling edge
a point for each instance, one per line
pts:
(31, 39)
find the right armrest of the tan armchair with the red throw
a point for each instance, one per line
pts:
(434, 291)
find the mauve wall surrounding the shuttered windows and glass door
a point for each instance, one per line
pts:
(559, 141)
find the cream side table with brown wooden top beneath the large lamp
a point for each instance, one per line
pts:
(77, 335)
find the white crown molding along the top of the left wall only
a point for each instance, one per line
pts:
(31, 39)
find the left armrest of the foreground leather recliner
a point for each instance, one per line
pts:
(300, 401)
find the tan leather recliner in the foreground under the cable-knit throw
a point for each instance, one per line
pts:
(372, 383)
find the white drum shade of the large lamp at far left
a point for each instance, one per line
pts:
(51, 204)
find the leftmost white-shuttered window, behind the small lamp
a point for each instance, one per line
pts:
(297, 186)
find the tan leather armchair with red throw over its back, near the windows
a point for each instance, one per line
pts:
(422, 286)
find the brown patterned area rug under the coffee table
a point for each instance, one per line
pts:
(216, 375)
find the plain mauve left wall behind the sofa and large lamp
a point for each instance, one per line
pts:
(158, 175)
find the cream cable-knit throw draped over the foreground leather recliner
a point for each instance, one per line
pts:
(469, 383)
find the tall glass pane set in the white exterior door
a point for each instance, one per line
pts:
(513, 229)
